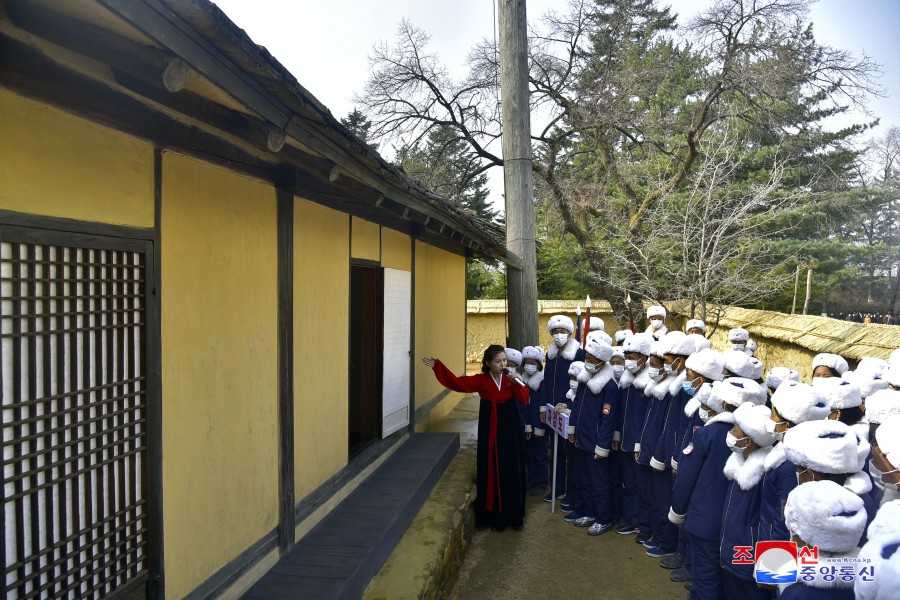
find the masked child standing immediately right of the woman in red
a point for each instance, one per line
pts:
(536, 444)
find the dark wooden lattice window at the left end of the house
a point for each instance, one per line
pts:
(74, 420)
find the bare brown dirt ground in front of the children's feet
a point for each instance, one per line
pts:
(550, 558)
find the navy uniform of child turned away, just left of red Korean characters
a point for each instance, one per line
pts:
(697, 500)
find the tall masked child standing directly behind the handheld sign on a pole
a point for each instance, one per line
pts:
(560, 355)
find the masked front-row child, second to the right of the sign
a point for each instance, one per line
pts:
(628, 431)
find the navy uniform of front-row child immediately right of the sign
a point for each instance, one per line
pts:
(599, 407)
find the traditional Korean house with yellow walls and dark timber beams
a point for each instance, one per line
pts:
(214, 298)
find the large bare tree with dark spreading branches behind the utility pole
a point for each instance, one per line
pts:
(627, 105)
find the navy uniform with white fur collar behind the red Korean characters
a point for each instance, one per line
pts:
(740, 523)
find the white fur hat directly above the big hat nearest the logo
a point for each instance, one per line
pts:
(826, 446)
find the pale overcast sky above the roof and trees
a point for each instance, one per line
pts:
(326, 43)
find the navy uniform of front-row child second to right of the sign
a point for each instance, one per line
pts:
(633, 404)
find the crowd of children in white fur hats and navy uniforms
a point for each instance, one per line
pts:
(702, 456)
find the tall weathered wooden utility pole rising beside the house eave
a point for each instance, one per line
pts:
(521, 284)
